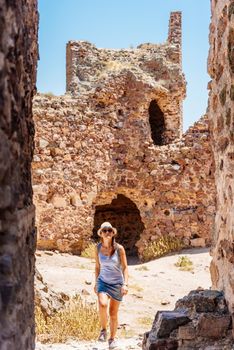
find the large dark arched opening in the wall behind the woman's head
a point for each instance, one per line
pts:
(123, 214)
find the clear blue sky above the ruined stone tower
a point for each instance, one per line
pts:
(121, 24)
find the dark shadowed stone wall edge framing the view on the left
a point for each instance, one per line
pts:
(18, 59)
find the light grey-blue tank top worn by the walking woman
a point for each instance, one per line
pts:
(110, 267)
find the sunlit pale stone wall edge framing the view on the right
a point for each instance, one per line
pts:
(221, 107)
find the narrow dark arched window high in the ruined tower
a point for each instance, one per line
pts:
(157, 124)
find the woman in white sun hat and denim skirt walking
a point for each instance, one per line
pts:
(111, 274)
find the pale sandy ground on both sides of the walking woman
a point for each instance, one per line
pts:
(155, 285)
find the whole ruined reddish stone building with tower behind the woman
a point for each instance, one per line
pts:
(111, 149)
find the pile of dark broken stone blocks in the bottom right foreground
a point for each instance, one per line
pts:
(200, 321)
